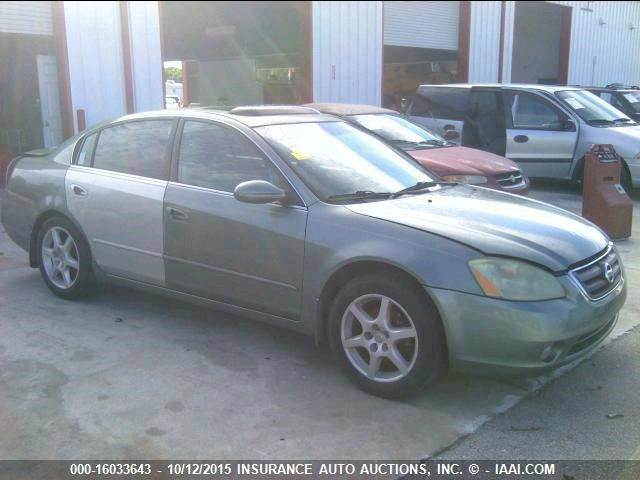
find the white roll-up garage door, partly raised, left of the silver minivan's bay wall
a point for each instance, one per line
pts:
(422, 24)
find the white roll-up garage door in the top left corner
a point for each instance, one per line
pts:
(26, 17)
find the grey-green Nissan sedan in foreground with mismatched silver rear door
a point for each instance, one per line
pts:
(304, 220)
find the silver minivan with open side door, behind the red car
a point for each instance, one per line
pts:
(547, 130)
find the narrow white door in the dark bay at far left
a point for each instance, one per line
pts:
(49, 100)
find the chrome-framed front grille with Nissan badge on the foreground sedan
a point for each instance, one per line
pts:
(591, 275)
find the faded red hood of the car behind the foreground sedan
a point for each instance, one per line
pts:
(462, 161)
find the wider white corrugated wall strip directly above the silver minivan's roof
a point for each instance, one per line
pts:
(484, 48)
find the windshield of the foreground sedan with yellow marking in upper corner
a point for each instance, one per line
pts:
(335, 158)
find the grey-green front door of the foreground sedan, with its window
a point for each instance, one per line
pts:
(219, 248)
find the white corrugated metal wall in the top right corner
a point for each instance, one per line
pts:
(604, 54)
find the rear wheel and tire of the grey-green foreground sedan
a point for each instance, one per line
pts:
(64, 259)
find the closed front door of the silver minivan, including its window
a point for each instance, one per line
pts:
(539, 135)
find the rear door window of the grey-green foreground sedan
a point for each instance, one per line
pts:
(137, 148)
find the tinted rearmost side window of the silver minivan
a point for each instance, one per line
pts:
(441, 102)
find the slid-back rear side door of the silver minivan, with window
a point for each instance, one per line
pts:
(442, 110)
